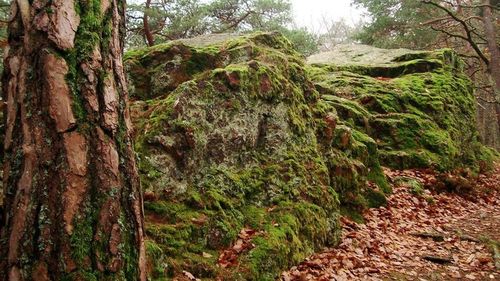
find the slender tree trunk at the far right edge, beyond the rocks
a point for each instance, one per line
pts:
(494, 65)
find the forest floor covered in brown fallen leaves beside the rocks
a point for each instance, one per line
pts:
(420, 234)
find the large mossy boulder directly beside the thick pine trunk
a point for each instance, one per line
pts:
(244, 141)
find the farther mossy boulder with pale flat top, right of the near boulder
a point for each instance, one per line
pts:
(418, 106)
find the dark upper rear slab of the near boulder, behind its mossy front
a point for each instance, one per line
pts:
(158, 70)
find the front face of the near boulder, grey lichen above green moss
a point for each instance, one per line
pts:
(228, 146)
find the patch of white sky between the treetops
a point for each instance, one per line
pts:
(310, 13)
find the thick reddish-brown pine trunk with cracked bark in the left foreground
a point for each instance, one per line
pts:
(73, 208)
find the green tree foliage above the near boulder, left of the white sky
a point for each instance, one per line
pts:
(178, 19)
